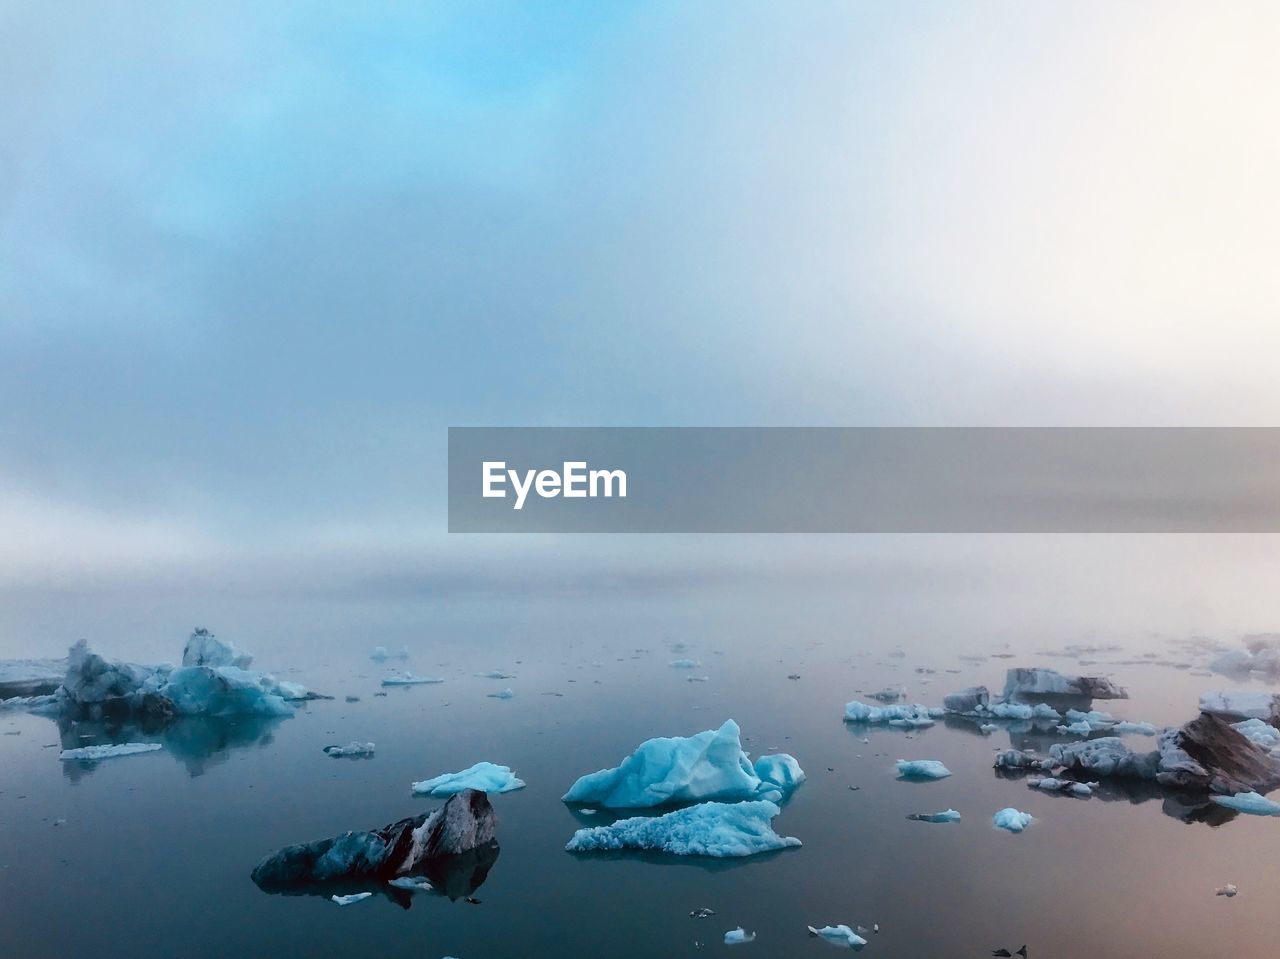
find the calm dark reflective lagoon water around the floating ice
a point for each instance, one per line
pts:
(150, 856)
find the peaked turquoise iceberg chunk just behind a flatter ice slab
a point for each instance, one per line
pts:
(708, 766)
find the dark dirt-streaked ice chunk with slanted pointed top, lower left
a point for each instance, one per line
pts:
(465, 823)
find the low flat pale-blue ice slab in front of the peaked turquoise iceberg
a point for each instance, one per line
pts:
(721, 830)
